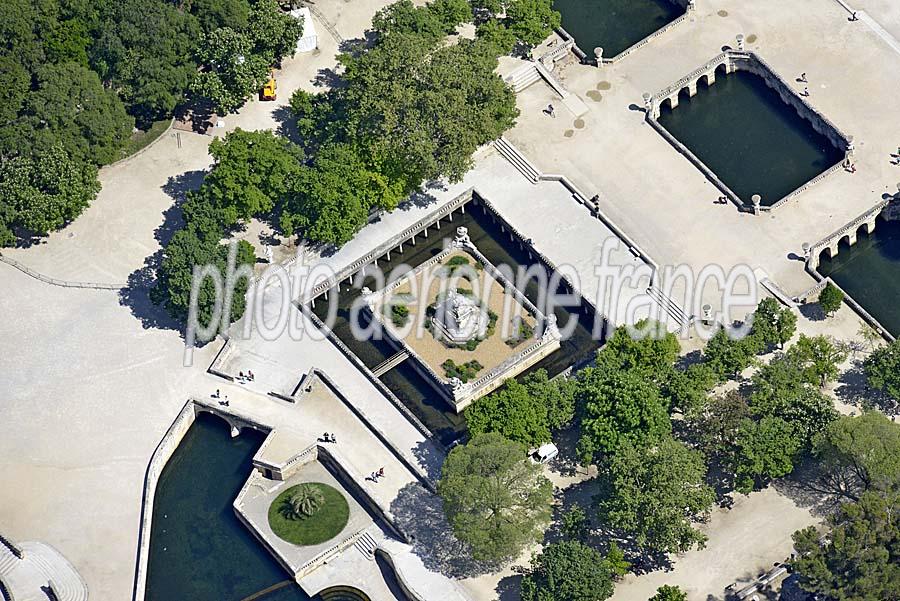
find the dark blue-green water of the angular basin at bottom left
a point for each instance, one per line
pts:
(199, 551)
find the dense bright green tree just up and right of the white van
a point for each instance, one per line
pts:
(618, 406)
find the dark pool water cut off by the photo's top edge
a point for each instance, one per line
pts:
(614, 25)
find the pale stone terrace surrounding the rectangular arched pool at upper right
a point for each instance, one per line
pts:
(660, 198)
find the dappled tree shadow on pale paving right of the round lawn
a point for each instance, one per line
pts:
(420, 515)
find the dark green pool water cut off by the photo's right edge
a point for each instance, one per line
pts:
(869, 271)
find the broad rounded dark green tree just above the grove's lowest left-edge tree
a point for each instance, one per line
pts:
(70, 107)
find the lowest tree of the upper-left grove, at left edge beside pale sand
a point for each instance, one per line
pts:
(44, 192)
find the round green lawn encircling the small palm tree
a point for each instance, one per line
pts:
(321, 525)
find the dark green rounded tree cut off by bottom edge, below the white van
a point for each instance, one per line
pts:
(567, 571)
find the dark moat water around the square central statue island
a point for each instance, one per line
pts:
(405, 382)
